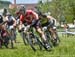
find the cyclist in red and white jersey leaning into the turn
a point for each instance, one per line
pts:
(31, 18)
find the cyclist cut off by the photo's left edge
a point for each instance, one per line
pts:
(3, 33)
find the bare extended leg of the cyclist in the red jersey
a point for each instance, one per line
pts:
(42, 34)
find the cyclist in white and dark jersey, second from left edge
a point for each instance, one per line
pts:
(11, 24)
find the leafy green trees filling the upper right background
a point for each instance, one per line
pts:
(60, 8)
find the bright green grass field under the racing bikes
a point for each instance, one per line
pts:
(65, 49)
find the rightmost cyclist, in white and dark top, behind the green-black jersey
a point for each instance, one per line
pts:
(52, 27)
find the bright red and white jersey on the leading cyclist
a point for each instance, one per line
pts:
(29, 16)
